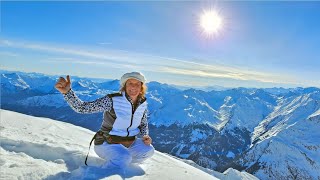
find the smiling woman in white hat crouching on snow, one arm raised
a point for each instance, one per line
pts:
(125, 116)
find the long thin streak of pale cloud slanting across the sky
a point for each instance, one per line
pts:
(125, 59)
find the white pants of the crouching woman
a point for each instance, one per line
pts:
(118, 156)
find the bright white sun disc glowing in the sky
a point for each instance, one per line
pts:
(211, 22)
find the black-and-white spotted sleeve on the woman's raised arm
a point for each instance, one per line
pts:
(99, 105)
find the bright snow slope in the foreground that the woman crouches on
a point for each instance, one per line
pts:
(56, 150)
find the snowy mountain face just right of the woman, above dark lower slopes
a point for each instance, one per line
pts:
(183, 113)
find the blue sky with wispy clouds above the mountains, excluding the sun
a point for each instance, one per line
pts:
(261, 44)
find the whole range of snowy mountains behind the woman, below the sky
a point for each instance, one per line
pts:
(215, 129)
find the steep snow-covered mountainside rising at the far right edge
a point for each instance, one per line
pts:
(288, 135)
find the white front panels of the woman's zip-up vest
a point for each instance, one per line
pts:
(126, 123)
